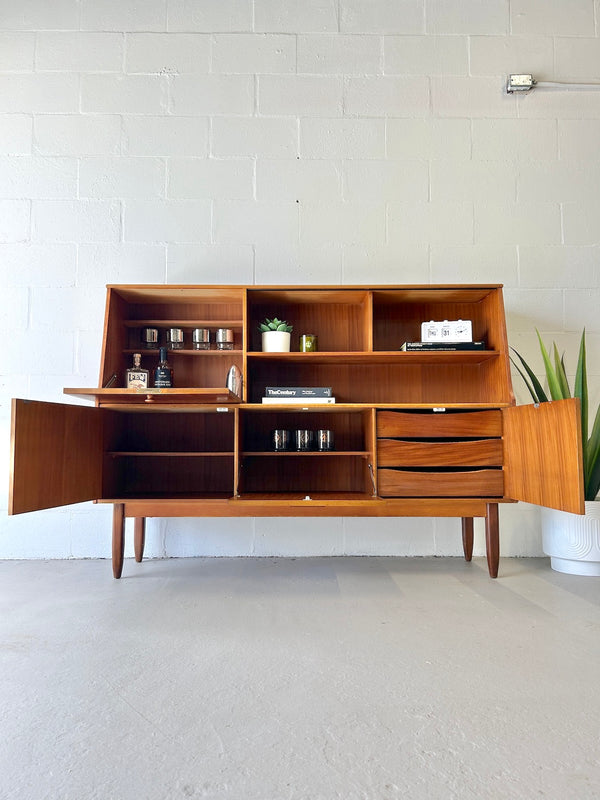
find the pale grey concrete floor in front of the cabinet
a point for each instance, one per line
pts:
(298, 679)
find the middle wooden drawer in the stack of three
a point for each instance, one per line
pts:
(476, 453)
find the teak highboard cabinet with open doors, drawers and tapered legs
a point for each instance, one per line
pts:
(416, 433)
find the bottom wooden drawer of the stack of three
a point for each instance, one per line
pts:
(462, 483)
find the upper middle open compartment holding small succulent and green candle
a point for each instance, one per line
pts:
(341, 319)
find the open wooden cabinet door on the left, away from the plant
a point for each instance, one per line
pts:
(56, 455)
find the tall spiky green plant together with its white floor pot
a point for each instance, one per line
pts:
(571, 540)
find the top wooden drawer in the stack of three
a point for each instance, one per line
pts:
(439, 424)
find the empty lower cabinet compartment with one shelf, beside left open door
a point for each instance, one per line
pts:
(162, 454)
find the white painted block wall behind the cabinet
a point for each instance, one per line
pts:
(276, 141)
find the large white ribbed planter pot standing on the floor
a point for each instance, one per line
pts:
(573, 540)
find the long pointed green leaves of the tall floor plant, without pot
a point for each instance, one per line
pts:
(558, 387)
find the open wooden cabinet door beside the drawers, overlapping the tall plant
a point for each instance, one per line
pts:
(543, 455)
